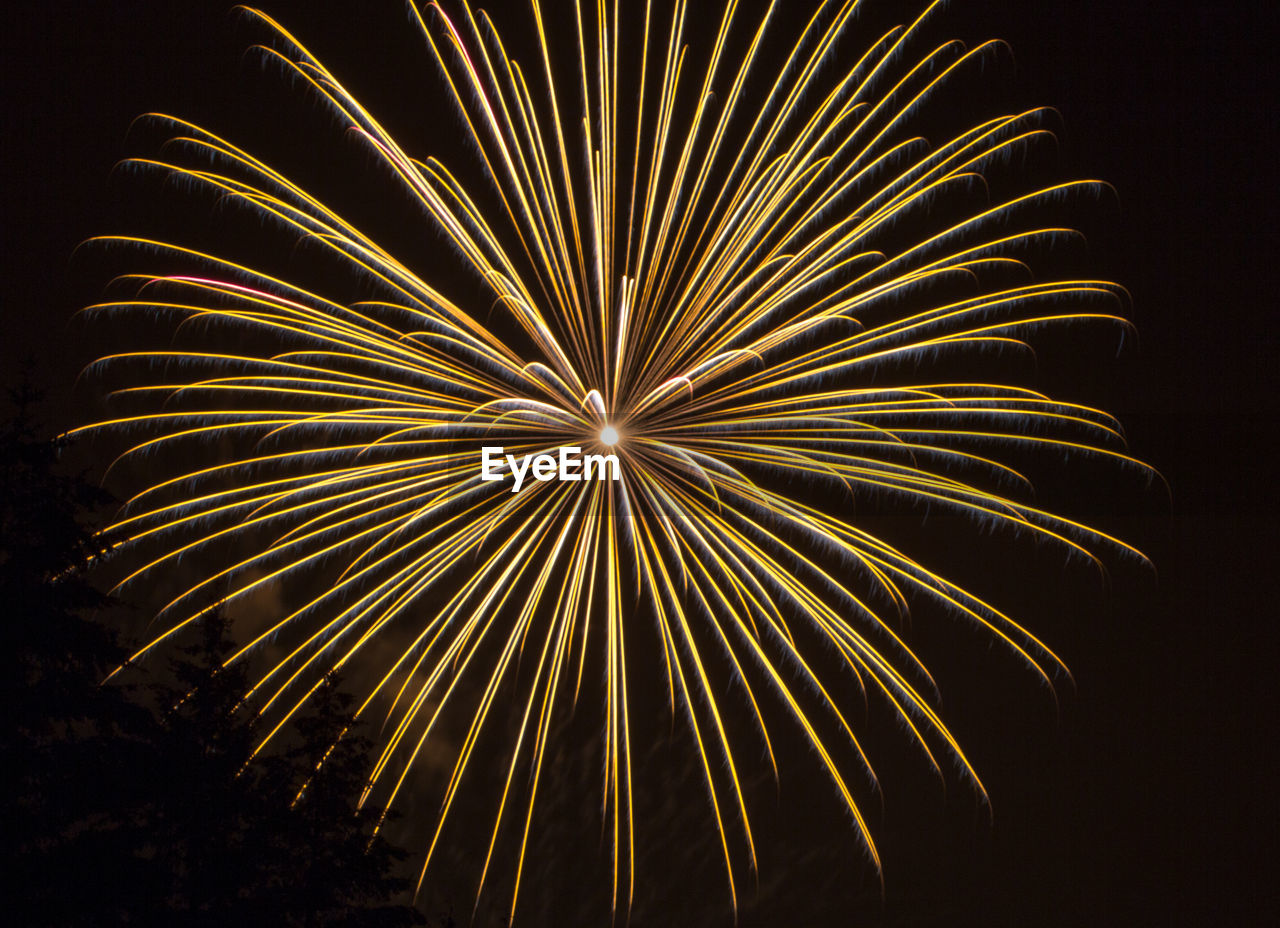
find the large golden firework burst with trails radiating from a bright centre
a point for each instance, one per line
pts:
(719, 298)
